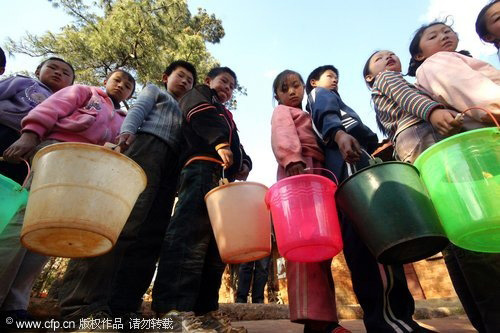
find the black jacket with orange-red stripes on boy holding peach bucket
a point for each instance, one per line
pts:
(207, 123)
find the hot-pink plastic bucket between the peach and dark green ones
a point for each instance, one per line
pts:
(305, 218)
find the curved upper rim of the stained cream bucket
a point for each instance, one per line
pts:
(88, 146)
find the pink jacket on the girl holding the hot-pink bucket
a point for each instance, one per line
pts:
(292, 136)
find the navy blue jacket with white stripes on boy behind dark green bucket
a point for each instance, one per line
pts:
(329, 115)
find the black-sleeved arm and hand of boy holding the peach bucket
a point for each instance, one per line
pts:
(207, 122)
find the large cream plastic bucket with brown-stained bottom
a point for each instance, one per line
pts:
(80, 199)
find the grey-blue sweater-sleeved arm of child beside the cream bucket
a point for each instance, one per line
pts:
(137, 114)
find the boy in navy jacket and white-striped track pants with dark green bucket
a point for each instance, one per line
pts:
(381, 289)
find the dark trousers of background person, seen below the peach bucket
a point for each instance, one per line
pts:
(258, 270)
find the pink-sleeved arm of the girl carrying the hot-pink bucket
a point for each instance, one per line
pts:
(285, 141)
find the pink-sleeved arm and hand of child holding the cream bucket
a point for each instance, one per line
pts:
(40, 121)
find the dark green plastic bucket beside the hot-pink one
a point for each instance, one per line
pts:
(392, 212)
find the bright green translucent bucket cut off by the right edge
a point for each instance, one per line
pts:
(462, 175)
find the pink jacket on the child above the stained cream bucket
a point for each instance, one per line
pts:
(77, 113)
